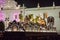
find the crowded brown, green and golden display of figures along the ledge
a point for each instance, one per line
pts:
(30, 23)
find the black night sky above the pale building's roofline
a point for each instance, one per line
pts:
(33, 3)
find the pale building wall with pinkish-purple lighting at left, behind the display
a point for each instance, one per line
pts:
(10, 9)
